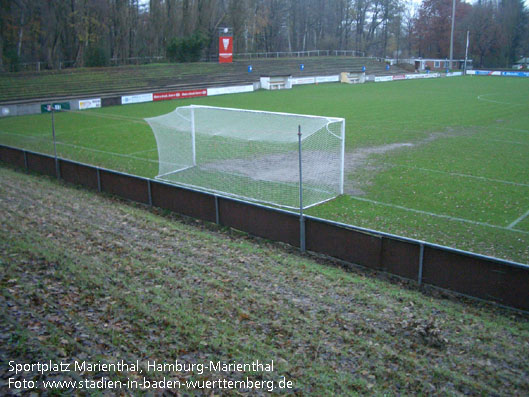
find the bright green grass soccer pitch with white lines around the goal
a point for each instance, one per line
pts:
(442, 160)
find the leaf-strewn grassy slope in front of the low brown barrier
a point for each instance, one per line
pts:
(86, 277)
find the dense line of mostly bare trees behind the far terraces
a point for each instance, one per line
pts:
(92, 32)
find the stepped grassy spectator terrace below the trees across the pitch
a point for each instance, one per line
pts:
(46, 85)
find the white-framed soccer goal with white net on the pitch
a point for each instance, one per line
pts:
(251, 155)
